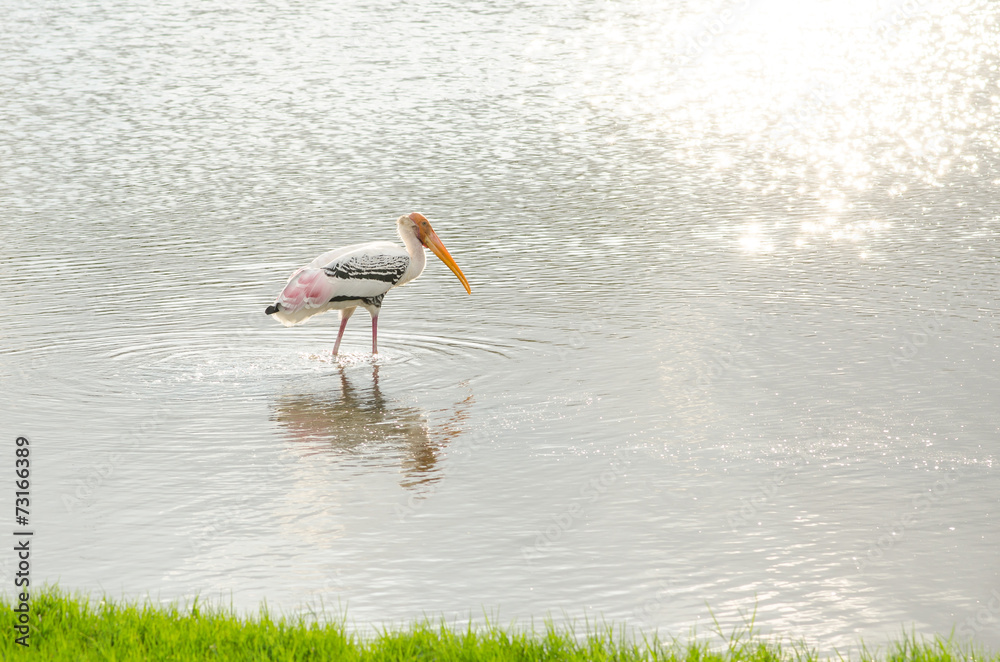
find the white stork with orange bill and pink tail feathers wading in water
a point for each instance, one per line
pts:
(360, 275)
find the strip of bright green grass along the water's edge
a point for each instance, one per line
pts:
(67, 627)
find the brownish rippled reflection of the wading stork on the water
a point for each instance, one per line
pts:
(367, 428)
